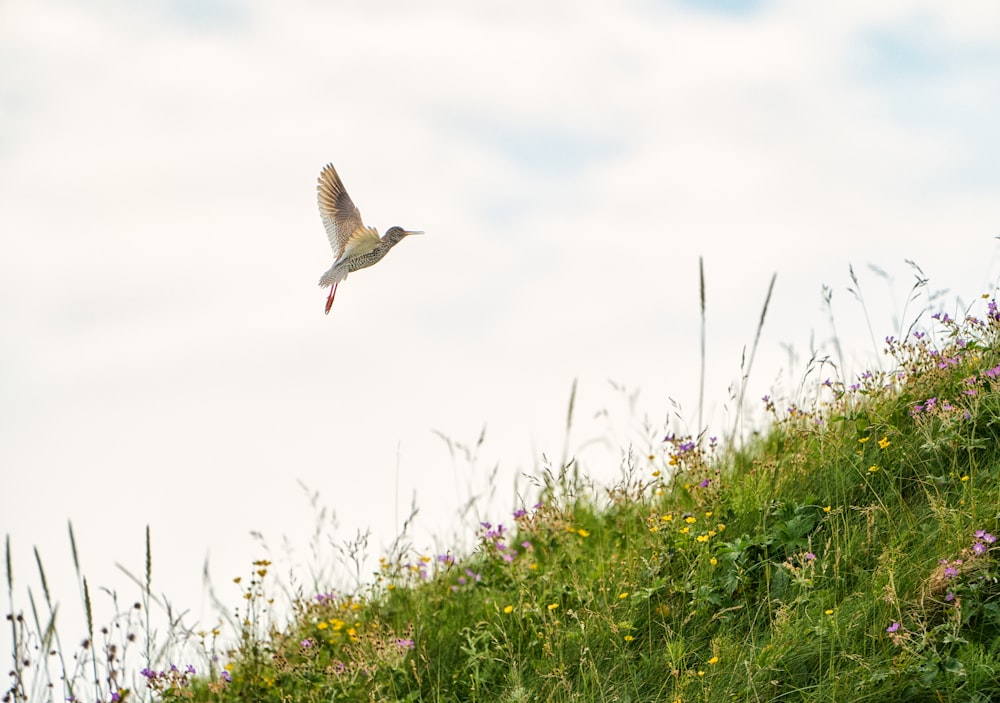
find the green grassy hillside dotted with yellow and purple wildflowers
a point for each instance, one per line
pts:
(845, 554)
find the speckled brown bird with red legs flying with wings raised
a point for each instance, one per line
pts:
(354, 245)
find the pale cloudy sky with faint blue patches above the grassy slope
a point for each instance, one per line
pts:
(164, 357)
